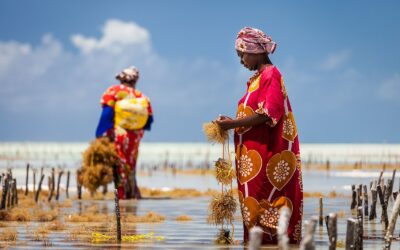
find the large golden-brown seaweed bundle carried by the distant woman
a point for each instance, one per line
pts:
(97, 165)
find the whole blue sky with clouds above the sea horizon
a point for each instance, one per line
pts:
(340, 61)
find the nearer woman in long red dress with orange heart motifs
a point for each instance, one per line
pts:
(268, 163)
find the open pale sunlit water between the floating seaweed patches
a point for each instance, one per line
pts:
(197, 234)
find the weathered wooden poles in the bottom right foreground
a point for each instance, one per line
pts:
(355, 229)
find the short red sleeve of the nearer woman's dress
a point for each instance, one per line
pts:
(271, 99)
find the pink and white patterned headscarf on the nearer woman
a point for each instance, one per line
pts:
(254, 41)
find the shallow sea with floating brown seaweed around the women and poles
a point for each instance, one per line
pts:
(90, 222)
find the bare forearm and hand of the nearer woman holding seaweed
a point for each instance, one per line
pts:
(249, 121)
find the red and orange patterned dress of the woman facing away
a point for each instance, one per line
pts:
(126, 141)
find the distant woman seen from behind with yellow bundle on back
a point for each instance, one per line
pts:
(126, 114)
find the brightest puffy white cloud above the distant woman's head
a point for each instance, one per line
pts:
(116, 35)
